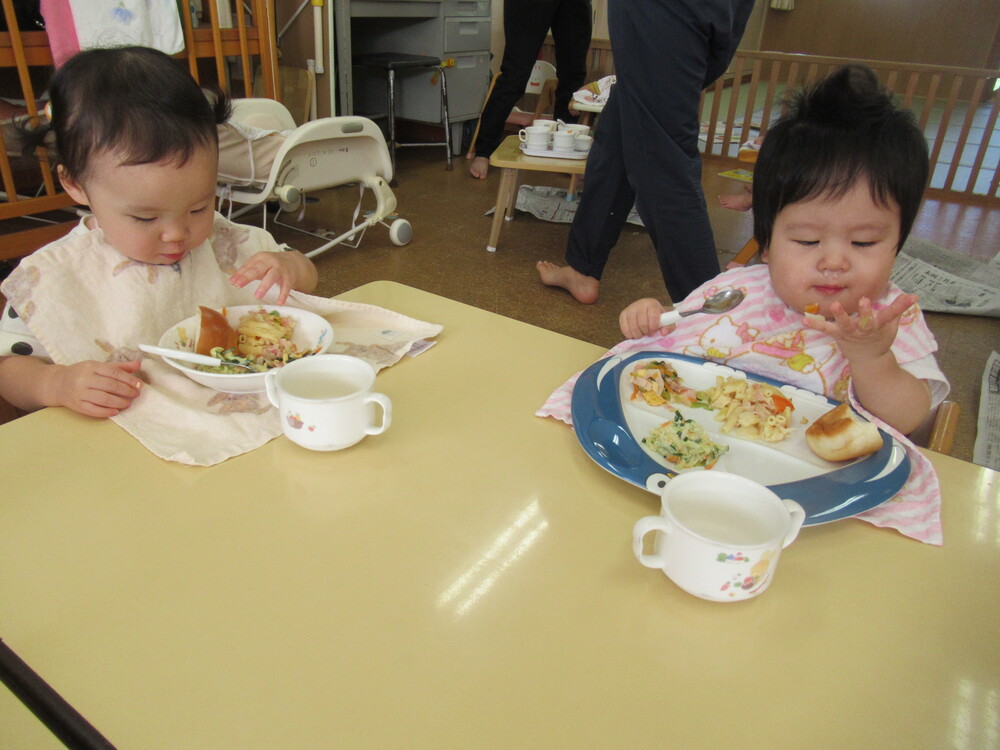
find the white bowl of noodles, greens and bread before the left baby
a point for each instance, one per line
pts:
(258, 338)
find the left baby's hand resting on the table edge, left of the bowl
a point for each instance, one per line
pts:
(97, 389)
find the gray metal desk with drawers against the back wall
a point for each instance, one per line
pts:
(458, 34)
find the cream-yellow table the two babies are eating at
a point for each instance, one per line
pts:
(466, 581)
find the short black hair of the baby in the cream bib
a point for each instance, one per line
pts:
(135, 102)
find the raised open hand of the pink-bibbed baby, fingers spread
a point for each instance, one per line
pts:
(867, 335)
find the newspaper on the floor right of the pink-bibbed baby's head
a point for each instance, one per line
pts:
(946, 281)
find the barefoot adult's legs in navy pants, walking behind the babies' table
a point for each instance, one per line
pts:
(645, 147)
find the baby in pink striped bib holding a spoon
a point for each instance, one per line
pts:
(836, 190)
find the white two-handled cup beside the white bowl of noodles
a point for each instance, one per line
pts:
(326, 401)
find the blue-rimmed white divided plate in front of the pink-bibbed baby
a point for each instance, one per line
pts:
(610, 427)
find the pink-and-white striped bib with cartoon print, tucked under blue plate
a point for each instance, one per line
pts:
(766, 337)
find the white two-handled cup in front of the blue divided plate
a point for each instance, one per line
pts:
(718, 535)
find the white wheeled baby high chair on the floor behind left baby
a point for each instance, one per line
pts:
(324, 153)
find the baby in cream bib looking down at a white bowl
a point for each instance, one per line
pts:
(135, 139)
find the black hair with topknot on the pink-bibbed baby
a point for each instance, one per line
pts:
(844, 129)
